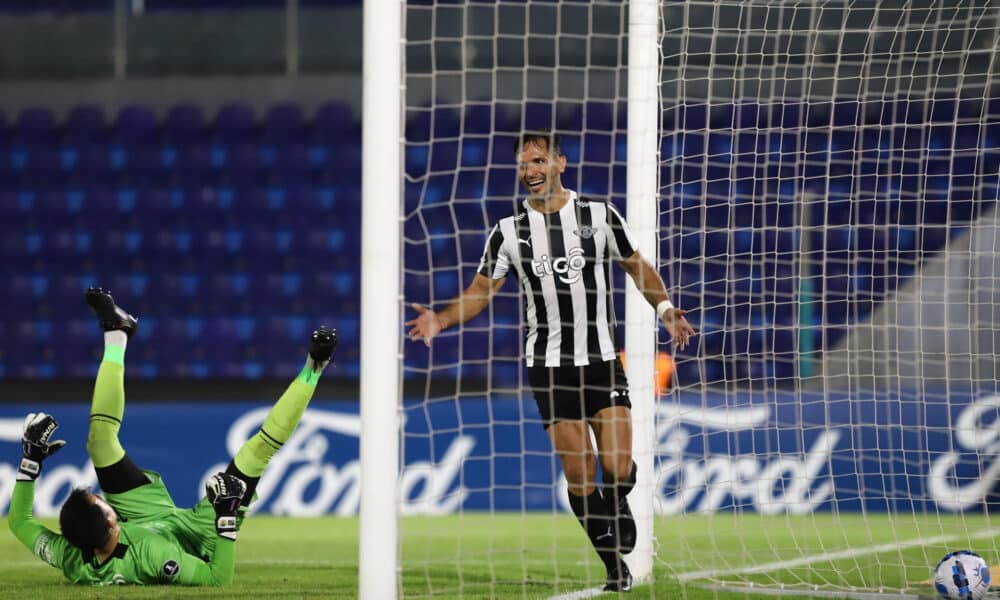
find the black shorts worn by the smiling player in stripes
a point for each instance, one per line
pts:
(575, 393)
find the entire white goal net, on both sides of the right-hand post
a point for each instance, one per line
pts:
(827, 174)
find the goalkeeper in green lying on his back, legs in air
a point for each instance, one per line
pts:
(134, 533)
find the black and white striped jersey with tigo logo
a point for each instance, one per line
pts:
(562, 261)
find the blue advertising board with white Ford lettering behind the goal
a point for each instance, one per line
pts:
(770, 453)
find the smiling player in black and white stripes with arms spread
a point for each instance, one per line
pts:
(559, 246)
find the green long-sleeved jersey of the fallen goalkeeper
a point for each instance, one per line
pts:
(168, 545)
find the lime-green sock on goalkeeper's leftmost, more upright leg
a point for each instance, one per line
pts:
(108, 404)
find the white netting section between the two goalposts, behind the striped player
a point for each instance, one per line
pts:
(477, 74)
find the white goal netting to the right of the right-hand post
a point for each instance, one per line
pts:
(828, 181)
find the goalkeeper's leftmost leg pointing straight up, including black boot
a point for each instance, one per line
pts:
(116, 472)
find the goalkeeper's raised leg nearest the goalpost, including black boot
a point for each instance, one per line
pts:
(253, 457)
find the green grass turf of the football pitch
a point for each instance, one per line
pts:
(538, 556)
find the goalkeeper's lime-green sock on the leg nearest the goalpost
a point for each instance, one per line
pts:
(280, 423)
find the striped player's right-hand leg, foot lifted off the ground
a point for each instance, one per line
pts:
(609, 410)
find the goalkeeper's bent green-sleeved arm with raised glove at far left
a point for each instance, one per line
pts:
(36, 446)
